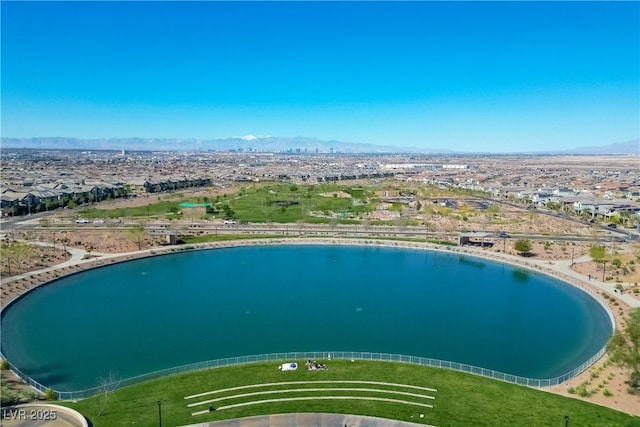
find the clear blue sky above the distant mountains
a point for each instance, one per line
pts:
(468, 76)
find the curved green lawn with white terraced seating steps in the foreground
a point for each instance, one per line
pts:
(461, 399)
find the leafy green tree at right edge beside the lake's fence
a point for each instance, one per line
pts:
(624, 349)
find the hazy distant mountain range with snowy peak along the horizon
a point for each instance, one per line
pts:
(249, 143)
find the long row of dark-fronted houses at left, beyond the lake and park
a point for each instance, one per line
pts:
(46, 196)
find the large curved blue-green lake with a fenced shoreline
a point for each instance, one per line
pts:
(145, 315)
